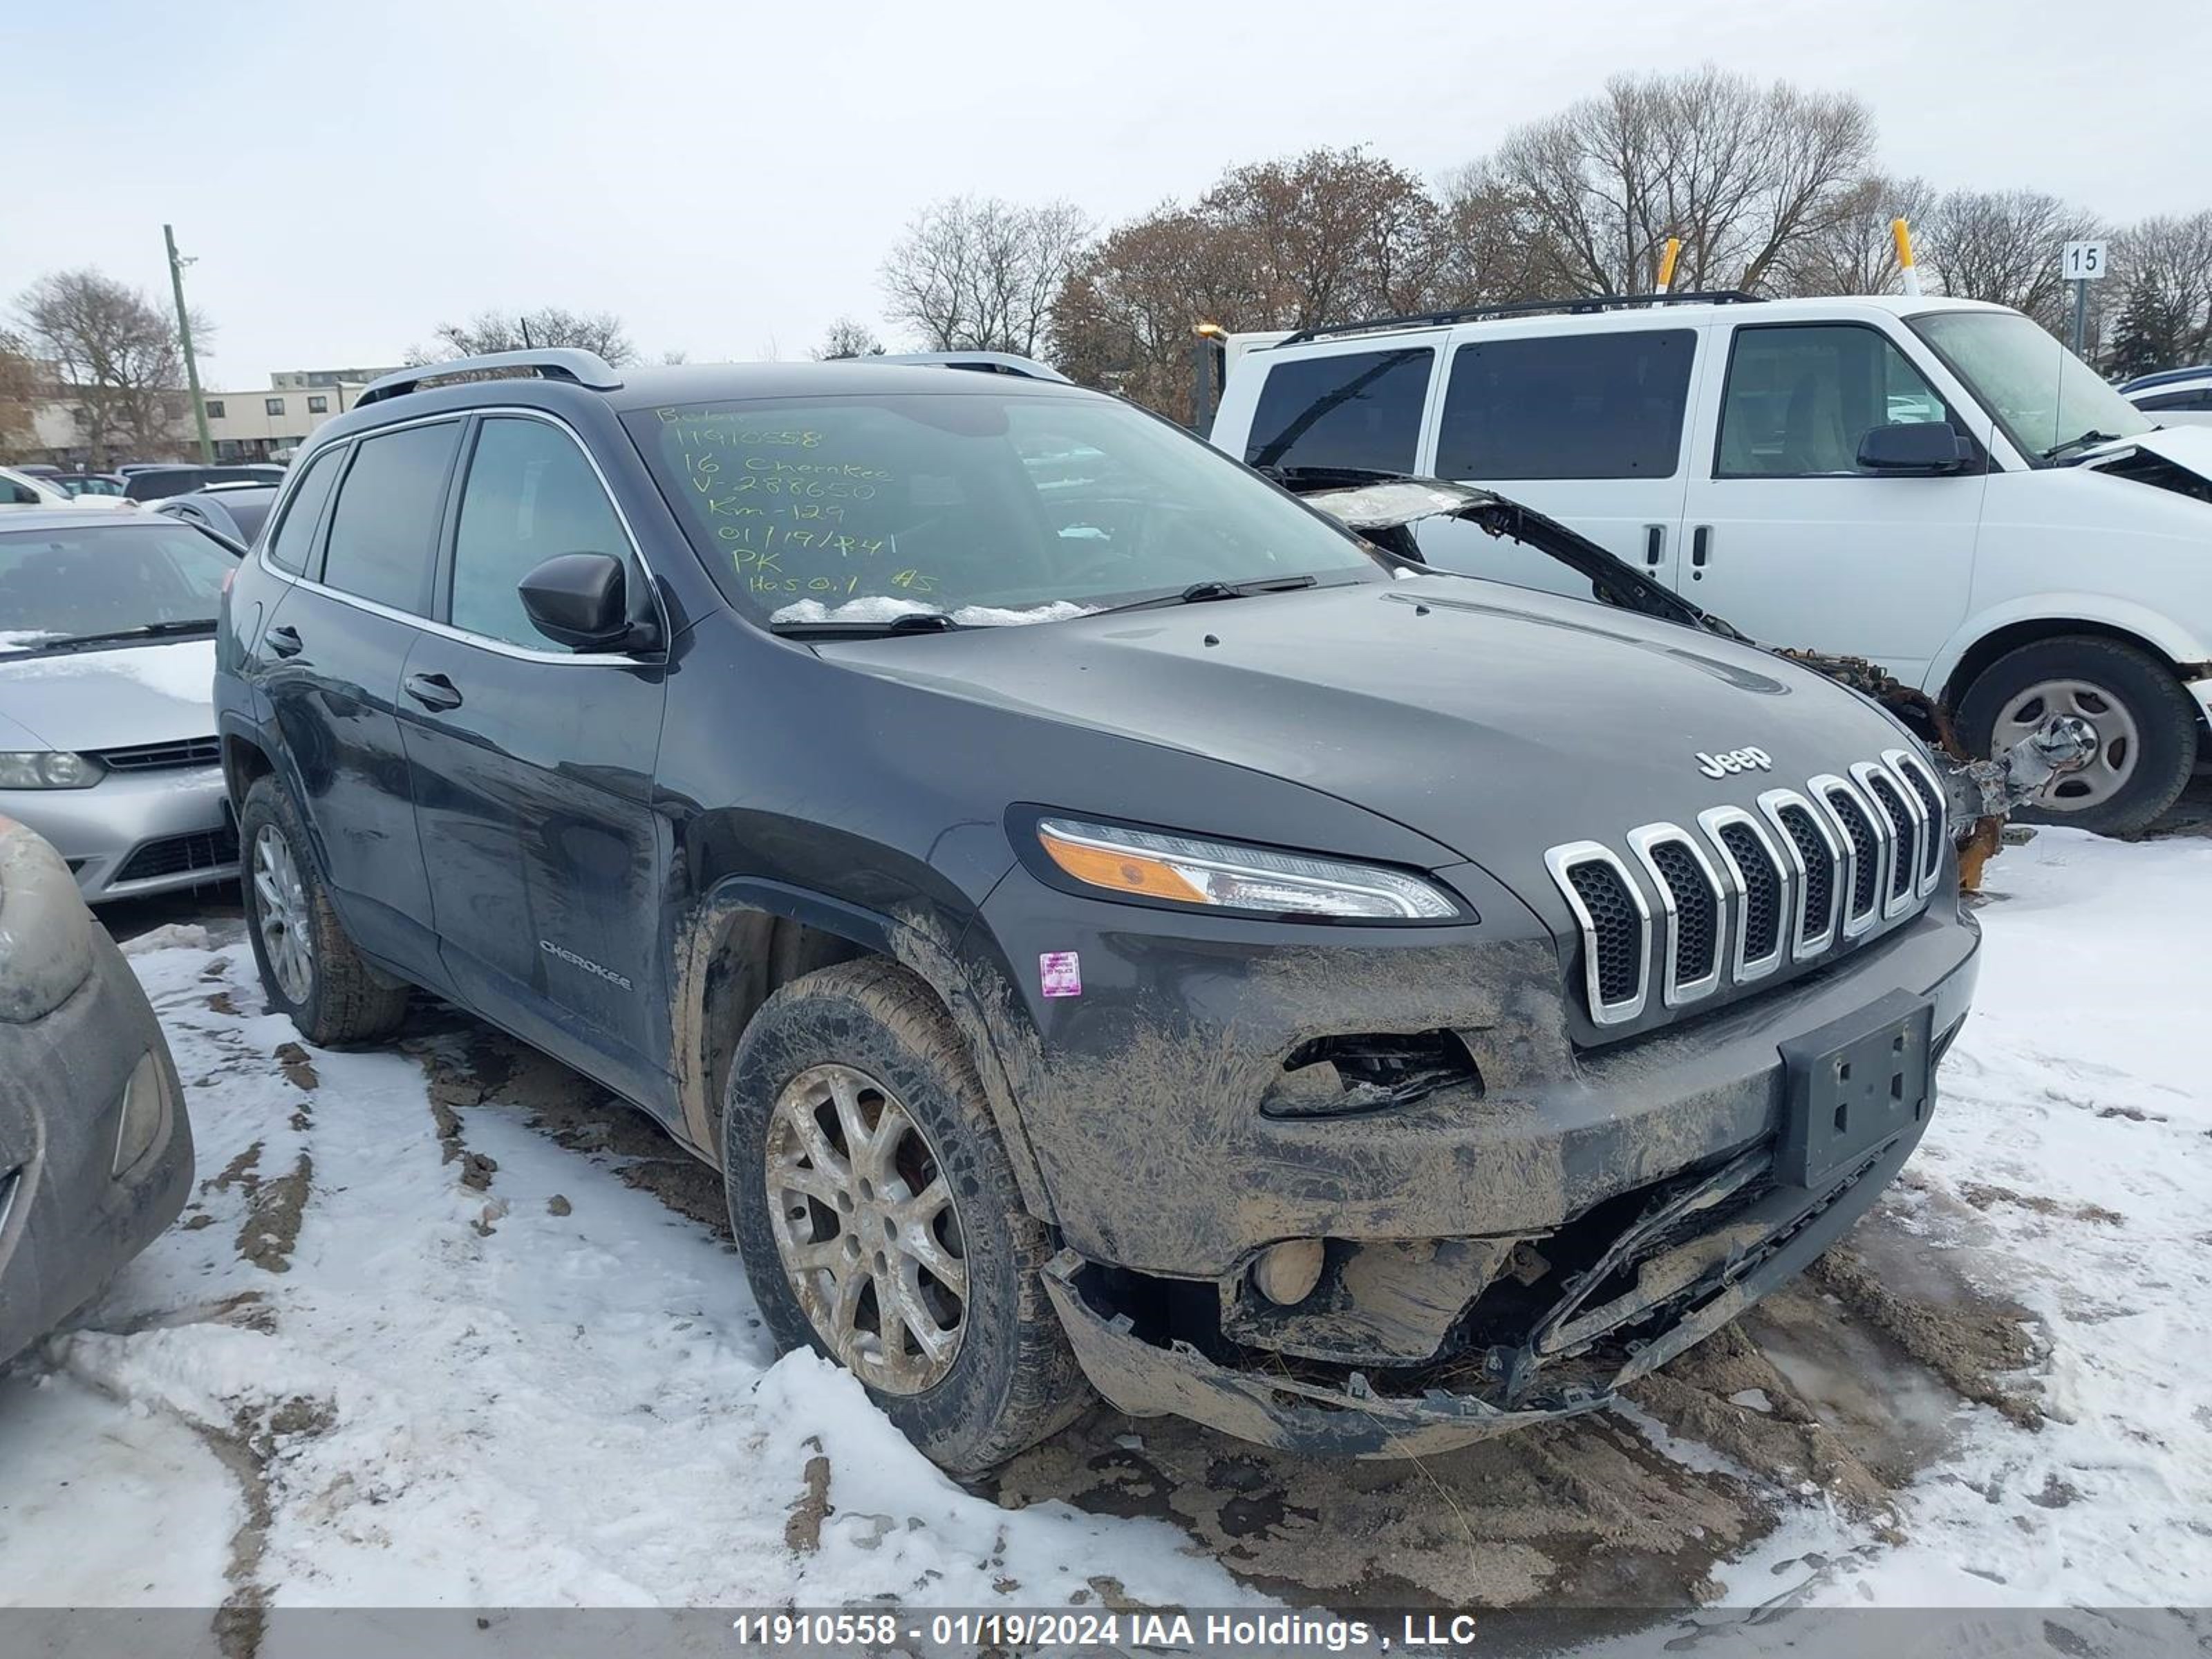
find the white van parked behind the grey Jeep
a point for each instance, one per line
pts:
(1934, 486)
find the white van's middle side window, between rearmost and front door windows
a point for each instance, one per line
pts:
(1567, 406)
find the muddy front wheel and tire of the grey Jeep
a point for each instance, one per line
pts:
(879, 1218)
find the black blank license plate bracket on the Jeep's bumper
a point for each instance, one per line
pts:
(1853, 1087)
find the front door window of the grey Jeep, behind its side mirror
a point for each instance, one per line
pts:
(530, 497)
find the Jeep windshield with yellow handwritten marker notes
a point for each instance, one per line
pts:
(983, 508)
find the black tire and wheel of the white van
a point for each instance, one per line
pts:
(2147, 727)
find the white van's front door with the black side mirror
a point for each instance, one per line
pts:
(1791, 539)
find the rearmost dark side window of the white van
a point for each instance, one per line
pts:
(1355, 410)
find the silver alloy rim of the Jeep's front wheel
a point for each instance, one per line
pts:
(868, 1229)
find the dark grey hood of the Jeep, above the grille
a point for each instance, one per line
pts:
(1492, 720)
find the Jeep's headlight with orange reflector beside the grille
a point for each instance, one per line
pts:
(1222, 875)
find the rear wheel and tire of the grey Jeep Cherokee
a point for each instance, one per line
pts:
(309, 966)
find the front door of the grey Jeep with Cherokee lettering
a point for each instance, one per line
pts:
(532, 771)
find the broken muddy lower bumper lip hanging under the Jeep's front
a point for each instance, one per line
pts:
(1775, 1240)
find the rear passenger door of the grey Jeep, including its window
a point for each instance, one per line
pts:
(331, 667)
